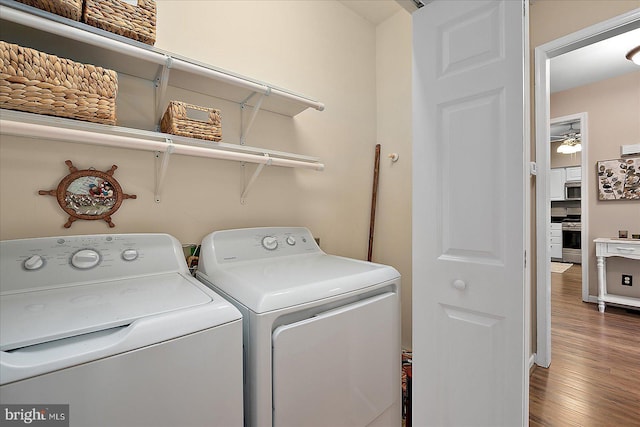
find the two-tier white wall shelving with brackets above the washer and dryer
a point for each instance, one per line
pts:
(31, 27)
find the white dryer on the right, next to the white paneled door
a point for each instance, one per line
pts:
(321, 332)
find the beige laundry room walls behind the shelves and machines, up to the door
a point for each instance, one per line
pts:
(317, 48)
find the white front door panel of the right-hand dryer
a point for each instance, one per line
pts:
(341, 367)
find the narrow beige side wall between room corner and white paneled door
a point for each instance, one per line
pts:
(392, 243)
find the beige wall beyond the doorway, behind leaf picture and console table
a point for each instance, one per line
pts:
(613, 119)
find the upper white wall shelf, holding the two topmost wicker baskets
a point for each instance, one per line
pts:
(56, 35)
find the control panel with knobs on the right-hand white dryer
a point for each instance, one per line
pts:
(260, 243)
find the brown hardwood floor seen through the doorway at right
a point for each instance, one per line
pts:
(594, 377)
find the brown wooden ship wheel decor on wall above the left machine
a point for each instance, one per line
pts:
(88, 194)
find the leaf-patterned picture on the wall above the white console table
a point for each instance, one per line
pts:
(619, 179)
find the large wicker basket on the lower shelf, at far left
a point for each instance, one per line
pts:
(39, 83)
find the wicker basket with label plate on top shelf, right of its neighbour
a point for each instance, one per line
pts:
(121, 17)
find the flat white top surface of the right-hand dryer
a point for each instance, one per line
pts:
(272, 284)
